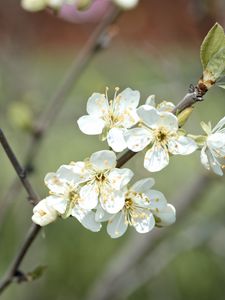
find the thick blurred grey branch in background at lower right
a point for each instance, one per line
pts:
(139, 245)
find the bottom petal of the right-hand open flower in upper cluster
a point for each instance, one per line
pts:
(156, 159)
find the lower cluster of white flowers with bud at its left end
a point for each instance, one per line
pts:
(94, 191)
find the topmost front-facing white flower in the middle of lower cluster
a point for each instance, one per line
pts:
(102, 182)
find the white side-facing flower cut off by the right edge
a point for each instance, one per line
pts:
(214, 147)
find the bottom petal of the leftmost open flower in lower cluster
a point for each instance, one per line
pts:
(86, 218)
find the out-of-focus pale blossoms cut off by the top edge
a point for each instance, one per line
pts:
(36, 5)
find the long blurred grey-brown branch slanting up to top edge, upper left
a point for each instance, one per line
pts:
(97, 41)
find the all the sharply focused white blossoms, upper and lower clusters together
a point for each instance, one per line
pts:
(95, 190)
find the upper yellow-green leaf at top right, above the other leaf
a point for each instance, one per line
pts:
(212, 43)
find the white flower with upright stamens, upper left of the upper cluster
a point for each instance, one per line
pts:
(111, 119)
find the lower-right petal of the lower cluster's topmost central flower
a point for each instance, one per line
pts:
(112, 202)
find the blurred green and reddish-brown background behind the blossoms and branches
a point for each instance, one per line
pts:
(155, 49)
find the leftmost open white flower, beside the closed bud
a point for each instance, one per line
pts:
(64, 197)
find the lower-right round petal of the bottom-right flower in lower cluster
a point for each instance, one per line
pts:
(145, 223)
